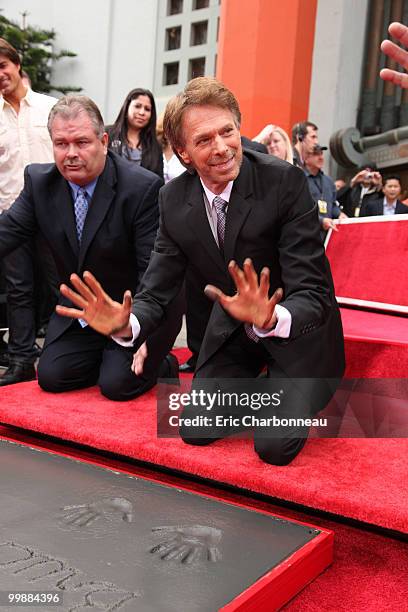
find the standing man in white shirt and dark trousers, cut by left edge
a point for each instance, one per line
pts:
(24, 139)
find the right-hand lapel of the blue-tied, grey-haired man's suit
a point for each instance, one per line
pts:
(102, 198)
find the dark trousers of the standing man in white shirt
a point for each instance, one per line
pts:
(21, 280)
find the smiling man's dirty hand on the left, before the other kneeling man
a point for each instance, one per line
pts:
(102, 313)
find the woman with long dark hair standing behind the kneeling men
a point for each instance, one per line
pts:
(133, 135)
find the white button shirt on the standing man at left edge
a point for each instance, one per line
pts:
(24, 140)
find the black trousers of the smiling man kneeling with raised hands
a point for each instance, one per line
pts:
(240, 357)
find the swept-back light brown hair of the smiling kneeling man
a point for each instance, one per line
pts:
(198, 92)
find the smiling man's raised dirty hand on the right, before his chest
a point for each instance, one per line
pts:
(251, 304)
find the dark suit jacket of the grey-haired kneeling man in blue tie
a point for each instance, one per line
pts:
(119, 230)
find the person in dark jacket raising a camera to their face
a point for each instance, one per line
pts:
(364, 187)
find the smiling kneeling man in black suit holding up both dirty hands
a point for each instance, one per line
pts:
(246, 226)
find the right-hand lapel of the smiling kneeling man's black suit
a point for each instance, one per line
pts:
(238, 208)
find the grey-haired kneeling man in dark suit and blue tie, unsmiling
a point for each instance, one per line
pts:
(96, 213)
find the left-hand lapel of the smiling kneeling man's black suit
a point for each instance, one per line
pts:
(198, 222)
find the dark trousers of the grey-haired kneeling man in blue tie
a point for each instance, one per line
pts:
(81, 358)
